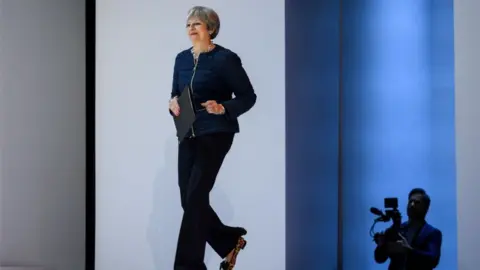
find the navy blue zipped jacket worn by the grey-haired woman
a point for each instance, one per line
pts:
(217, 75)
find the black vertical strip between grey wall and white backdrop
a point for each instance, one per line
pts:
(90, 136)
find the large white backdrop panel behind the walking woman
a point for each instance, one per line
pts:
(138, 204)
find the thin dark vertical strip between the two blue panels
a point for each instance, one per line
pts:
(340, 142)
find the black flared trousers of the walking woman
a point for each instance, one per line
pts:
(199, 161)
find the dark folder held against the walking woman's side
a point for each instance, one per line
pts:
(184, 122)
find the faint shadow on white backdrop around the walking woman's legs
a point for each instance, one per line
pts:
(166, 216)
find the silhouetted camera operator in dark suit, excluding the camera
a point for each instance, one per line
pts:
(419, 244)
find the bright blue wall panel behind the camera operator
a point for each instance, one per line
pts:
(398, 121)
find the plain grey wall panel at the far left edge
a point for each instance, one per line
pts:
(42, 133)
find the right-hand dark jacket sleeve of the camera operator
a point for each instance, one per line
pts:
(430, 256)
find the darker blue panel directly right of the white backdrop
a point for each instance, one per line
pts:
(312, 78)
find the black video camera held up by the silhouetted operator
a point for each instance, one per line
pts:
(391, 213)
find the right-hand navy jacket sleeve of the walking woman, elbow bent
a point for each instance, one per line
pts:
(238, 81)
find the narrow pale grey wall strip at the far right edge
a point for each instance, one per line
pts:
(467, 98)
